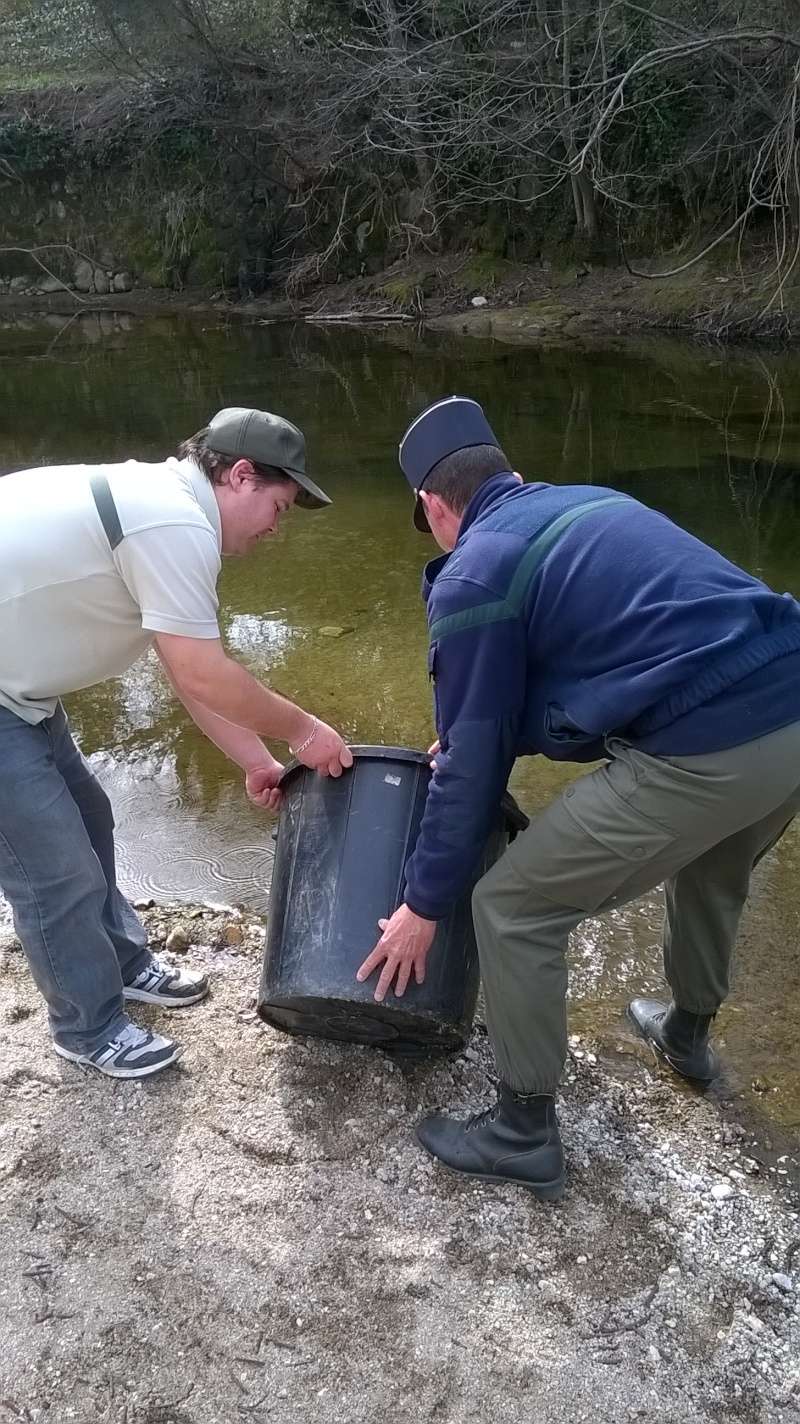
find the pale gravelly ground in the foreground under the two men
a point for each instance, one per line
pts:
(256, 1234)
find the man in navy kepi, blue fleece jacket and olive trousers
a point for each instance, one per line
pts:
(576, 623)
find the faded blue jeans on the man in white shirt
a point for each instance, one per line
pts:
(80, 936)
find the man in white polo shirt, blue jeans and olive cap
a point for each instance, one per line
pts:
(98, 565)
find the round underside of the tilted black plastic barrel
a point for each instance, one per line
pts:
(398, 1032)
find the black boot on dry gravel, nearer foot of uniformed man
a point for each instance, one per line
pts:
(516, 1141)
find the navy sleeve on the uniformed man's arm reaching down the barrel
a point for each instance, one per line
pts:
(480, 674)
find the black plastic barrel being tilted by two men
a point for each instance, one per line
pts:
(340, 868)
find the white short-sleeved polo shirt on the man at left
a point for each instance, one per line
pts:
(72, 610)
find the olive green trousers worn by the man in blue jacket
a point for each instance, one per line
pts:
(695, 824)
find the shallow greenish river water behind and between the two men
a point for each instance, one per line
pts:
(330, 612)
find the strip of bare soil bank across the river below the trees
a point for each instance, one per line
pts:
(516, 303)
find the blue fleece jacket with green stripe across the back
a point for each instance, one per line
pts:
(572, 614)
